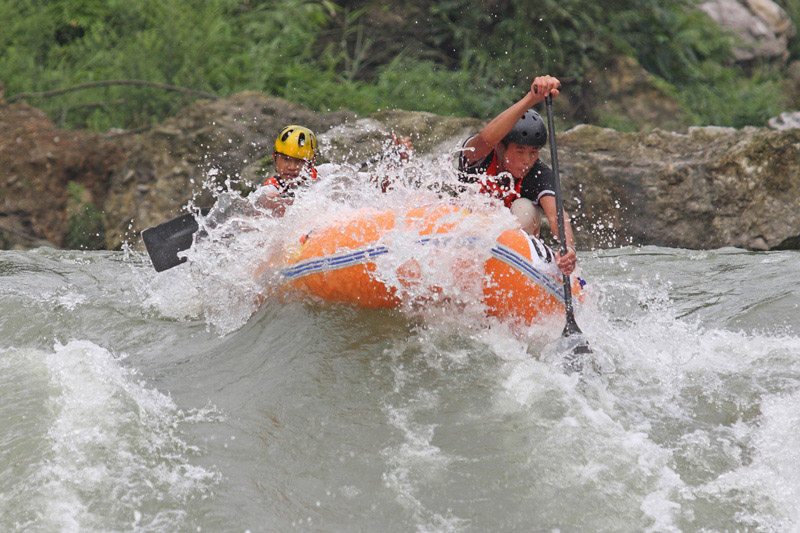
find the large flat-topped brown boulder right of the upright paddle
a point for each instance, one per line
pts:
(708, 188)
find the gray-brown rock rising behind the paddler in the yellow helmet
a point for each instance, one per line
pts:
(227, 139)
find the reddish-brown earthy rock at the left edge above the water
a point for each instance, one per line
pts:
(52, 182)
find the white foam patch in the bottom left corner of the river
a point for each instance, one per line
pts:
(113, 448)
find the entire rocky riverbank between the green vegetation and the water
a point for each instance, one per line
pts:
(703, 188)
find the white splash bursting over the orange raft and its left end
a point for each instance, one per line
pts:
(233, 266)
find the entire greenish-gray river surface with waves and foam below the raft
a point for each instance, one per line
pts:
(136, 401)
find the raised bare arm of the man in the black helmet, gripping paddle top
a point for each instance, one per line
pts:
(479, 146)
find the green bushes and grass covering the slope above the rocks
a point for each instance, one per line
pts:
(458, 57)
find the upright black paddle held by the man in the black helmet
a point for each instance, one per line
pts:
(578, 343)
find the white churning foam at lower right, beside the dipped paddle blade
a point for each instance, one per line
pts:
(693, 407)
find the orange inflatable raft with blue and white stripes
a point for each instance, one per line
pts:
(338, 262)
